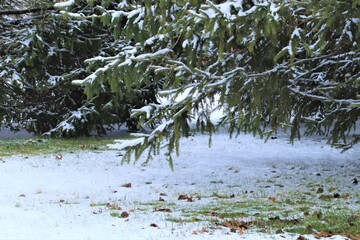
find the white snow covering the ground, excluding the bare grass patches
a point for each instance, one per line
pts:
(45, 198)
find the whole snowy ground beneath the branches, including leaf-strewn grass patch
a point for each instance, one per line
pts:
(240, 188)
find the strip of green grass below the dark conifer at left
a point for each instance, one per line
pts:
(37, 146)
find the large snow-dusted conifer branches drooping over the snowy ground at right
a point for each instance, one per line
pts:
(270, 65)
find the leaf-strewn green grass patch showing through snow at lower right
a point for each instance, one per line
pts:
(295, 213)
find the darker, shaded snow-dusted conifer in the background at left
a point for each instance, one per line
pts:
(41, 52)
